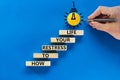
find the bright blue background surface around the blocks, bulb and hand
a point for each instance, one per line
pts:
(25, 25)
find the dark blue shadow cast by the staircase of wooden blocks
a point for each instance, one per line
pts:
(45, 70)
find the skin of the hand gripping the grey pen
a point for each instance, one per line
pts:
(112, 28)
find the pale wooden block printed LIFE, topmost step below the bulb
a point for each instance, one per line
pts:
(71, 32)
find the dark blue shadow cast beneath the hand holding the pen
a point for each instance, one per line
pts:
(106, 40)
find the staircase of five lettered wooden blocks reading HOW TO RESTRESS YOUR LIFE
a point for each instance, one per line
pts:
(67, 36)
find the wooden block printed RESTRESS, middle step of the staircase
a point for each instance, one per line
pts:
(54, 47)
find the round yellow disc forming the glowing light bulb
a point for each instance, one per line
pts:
(73, 19)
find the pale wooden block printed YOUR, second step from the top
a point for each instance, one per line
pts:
(63, 40)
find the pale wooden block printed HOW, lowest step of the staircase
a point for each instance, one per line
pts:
(37, 63)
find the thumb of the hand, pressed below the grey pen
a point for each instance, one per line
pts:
(99, 26)
